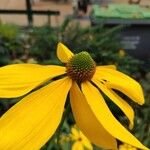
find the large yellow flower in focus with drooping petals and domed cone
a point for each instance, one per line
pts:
(30, 123)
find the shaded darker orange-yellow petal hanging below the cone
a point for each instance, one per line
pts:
(87, 122)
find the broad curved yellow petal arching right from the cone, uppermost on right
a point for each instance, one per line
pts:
(117, 80)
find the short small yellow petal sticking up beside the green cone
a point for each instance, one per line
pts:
(63, 53)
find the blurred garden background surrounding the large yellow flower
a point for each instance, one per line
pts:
(112, 31)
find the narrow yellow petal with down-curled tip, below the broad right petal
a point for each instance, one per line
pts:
(122, 104)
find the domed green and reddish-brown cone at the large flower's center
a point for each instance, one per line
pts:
(81, 67)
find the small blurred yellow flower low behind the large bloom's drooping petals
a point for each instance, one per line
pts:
(80, 141)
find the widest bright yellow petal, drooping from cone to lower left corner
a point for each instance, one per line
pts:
(31, 122)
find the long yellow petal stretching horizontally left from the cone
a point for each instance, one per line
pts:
(19, 79)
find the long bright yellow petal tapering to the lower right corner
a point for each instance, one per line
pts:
(106, 118)
